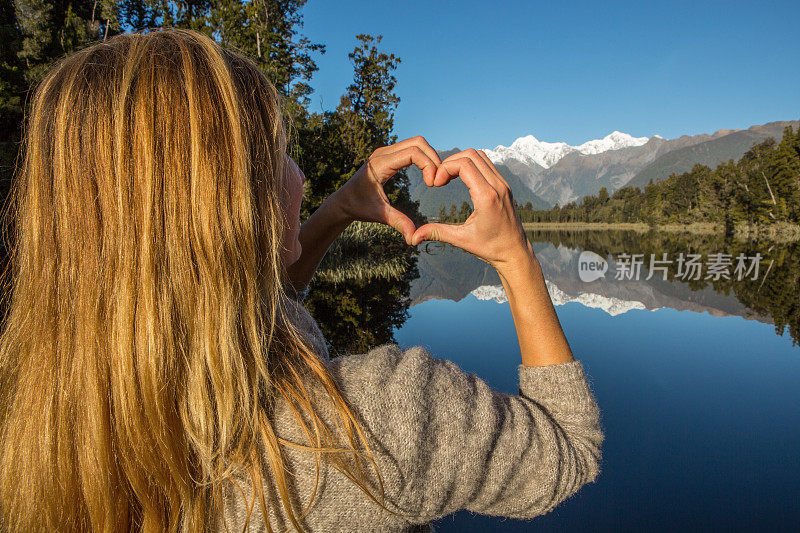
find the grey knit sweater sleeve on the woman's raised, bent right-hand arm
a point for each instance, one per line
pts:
(457, 444)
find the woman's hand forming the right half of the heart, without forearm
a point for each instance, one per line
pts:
(493, 232)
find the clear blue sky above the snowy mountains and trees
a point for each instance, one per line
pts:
(479, 74)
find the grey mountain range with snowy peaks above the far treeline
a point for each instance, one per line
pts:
(548, 173)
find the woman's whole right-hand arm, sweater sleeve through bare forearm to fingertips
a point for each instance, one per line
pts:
(447, 441)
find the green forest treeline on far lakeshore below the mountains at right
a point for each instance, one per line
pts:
(762, 188)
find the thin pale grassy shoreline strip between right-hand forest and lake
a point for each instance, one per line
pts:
(781, 232)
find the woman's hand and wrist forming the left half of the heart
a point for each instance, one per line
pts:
(363, 197)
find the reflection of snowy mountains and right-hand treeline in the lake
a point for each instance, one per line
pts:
(449, 273)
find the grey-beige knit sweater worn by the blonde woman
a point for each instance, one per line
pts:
(443, 441)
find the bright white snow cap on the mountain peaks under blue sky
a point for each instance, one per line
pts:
(531, 150)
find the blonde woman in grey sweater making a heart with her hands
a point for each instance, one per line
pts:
(156, 376)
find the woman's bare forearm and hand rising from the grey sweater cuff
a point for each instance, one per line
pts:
(494, 233)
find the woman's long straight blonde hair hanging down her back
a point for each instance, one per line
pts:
(146, 336)
